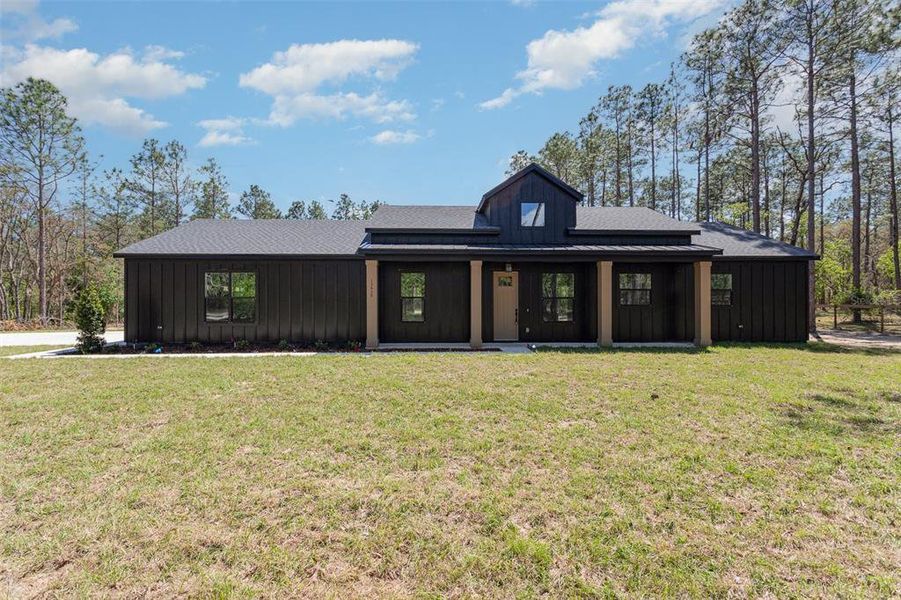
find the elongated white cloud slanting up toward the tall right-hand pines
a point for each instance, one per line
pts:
(565, 59)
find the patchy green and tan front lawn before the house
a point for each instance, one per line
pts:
(736, 471)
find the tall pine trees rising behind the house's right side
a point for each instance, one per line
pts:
(779, 119)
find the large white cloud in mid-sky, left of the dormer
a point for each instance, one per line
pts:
(295, 78)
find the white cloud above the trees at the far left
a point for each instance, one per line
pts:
(97, 86)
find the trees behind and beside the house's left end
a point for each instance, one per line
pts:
(62, 217)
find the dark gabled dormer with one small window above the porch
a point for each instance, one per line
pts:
(531, 207)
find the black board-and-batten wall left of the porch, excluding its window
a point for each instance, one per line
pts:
(297, 301)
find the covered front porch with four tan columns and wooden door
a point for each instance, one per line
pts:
(480, 302)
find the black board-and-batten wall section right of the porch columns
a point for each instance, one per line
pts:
(769, 302)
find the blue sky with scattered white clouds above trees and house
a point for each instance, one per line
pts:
(402, 102)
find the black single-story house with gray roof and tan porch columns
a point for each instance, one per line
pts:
(529, 263)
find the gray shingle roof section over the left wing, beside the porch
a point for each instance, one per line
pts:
(270, 237)
